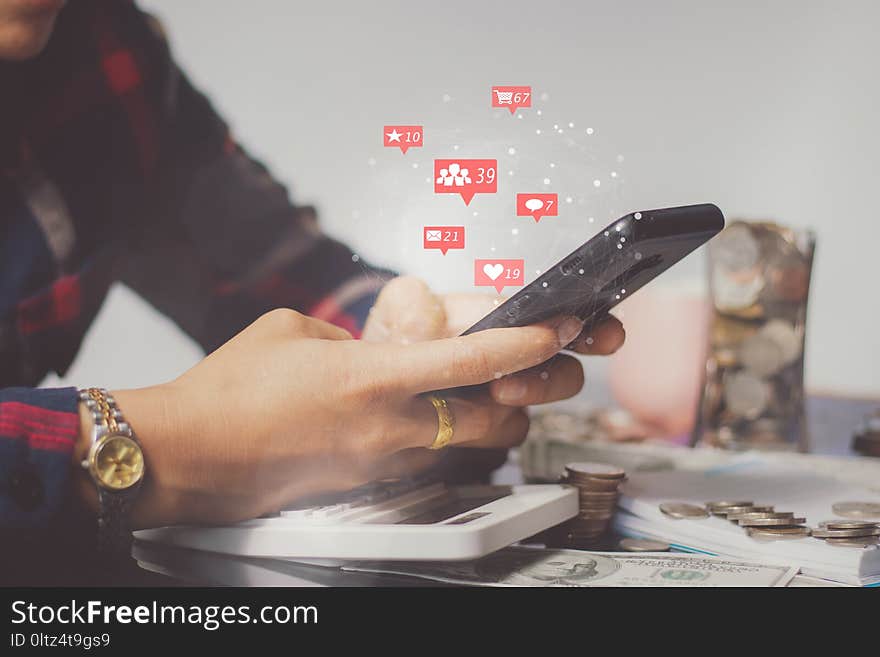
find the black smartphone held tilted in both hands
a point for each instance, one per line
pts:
(610, 267)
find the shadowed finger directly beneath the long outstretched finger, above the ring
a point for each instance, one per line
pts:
(559, 378)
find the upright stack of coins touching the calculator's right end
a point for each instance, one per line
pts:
(597, 485)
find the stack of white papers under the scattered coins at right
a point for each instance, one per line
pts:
(756, 480)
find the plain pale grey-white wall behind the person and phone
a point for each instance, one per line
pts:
(769, 109)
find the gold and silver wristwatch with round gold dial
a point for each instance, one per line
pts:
(116, 464)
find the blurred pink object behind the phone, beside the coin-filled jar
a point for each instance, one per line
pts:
(657, 374)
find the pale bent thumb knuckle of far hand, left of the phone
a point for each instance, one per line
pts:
(406, 311)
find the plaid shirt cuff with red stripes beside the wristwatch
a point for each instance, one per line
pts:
(38, 429)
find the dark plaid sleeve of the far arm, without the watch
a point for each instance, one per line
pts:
(225, 243)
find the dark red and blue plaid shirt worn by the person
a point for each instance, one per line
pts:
(113, 167)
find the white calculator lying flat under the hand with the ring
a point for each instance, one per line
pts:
(389, 522)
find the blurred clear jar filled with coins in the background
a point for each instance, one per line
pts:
(753, 393)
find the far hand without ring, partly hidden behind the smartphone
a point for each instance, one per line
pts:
(407, 311)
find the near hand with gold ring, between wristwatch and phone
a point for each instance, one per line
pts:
(292, 406)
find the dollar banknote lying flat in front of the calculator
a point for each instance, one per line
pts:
(522, 566)
